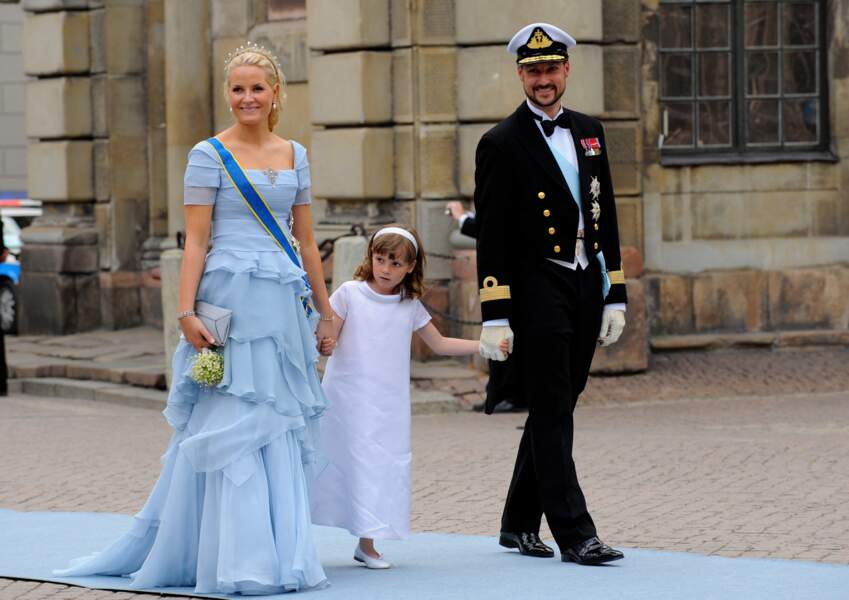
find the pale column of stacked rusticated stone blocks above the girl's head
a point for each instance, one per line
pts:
(350, 91)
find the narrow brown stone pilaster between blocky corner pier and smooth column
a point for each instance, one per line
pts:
(119, 61)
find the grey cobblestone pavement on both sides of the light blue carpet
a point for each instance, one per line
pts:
(705, 460)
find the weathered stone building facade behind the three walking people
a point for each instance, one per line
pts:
(391, 97)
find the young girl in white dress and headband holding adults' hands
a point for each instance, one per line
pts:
(366, 431)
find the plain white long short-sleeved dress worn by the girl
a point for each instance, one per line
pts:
(366, 431)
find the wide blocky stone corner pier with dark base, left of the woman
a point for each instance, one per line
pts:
(87, 126)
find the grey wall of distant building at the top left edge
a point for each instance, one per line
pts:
(13, 139)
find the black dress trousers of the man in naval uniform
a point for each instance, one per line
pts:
(556, 321)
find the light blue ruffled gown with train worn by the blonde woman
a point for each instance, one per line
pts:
(230, 511)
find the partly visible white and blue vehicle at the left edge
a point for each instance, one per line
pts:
(16, 213)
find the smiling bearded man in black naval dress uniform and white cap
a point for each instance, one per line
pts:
(550, 273)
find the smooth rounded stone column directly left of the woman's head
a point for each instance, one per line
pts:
(188, 105)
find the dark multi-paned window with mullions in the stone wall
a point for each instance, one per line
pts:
(741, 75)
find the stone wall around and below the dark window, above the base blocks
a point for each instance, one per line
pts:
(778, 216)
